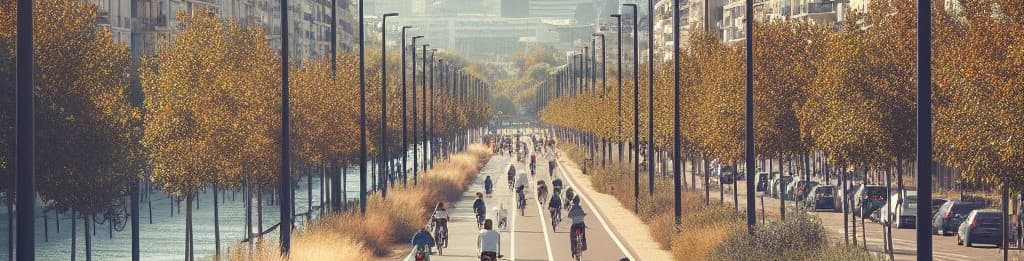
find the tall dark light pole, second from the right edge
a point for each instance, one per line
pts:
(751, 215)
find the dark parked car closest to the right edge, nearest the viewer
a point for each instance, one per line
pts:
(982, 227)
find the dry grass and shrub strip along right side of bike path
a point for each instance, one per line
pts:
(714, 232)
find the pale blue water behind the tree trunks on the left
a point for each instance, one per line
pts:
(164, 239)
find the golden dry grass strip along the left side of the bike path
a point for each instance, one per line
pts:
(349, 236)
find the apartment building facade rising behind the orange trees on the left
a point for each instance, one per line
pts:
(156, 22)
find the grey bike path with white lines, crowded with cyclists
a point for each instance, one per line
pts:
(530, 236)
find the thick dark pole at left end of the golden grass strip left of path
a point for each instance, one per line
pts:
(285, 180)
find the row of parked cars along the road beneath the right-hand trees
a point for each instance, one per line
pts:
(971, 222)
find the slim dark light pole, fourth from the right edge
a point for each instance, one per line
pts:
(651, 99)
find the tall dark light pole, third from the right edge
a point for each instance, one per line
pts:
(676, 140)
